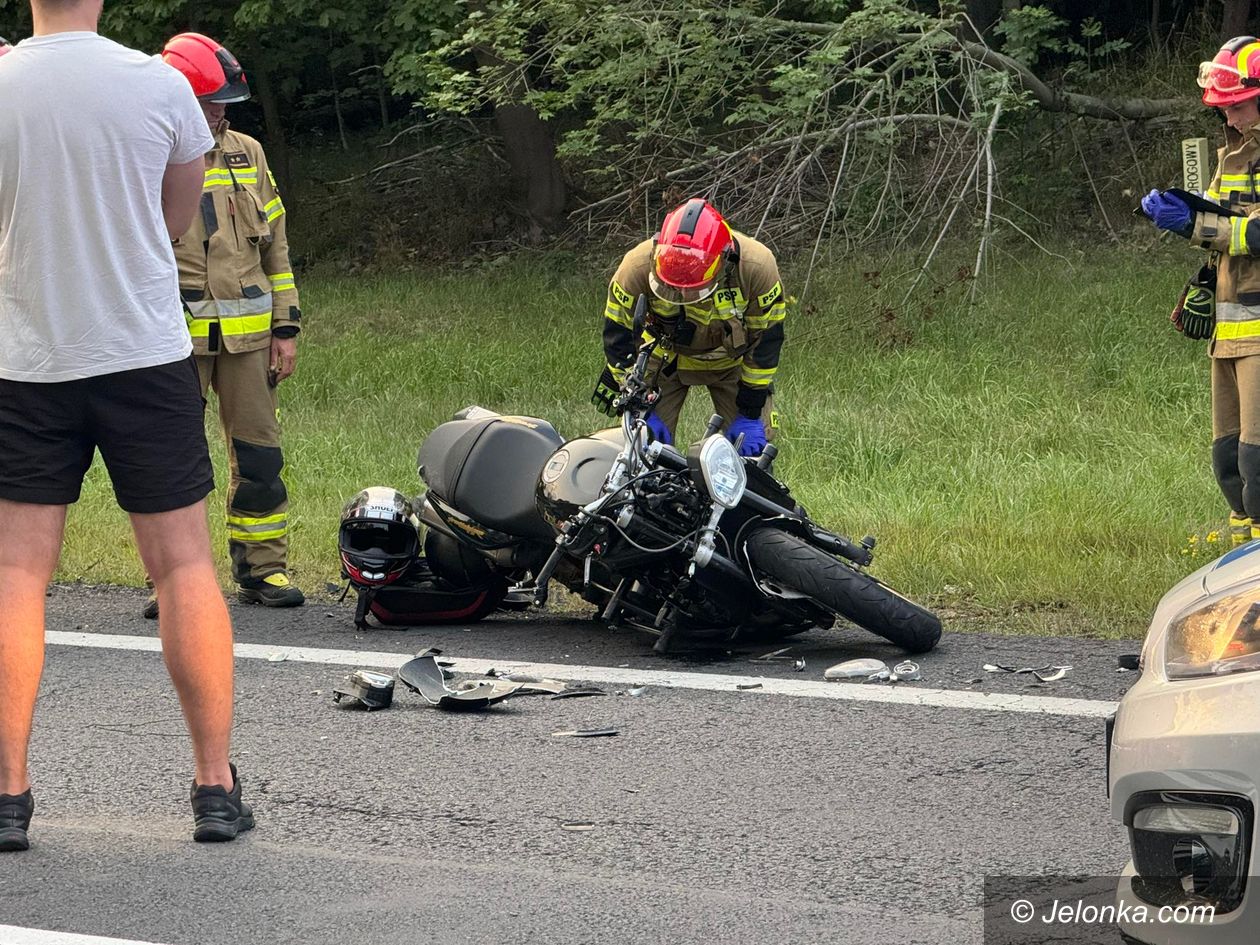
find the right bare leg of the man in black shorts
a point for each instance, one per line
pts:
(196, 631)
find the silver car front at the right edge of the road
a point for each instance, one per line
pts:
(1185, 764)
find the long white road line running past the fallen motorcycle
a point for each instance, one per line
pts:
(900, 695)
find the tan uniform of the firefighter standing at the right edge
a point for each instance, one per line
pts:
(1235, 348)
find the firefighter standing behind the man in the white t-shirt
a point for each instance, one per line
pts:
(243, 311)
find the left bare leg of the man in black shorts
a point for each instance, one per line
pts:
(27, 566)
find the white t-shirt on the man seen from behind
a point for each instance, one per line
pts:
(89, 284)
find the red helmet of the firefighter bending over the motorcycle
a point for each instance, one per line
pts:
(690, 253)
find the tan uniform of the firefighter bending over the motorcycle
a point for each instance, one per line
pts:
(729, 343)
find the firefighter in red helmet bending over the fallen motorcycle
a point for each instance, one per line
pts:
(716, 307)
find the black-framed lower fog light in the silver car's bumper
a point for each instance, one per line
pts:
(1190, 849)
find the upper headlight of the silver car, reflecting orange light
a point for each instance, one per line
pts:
(1217, 637)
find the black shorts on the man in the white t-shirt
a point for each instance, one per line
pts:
(149, 425)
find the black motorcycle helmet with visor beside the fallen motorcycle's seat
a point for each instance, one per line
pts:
(380, 537)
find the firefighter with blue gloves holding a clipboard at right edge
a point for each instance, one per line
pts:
(1232, 84)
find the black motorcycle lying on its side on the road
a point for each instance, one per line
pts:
(702, 547)
